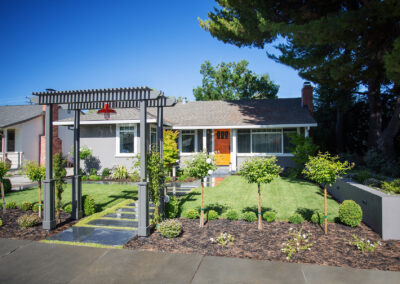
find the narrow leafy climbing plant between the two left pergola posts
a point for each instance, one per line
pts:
(59, 180)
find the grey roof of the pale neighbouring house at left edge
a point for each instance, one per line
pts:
(10, 115)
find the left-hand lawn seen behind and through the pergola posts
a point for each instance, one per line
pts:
(105, 195)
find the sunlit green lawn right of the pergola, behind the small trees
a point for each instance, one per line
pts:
(285, 196)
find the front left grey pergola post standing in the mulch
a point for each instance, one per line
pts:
(49, 221)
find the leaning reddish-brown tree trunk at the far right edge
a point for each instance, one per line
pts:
(386, 141)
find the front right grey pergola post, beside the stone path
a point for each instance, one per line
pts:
(143, 228)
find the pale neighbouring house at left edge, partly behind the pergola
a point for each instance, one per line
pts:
(22, 131)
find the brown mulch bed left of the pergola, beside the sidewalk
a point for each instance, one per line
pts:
(11, 230)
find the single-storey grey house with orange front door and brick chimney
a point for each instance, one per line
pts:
(232, 130)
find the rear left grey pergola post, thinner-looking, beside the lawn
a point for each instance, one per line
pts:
(76, 180)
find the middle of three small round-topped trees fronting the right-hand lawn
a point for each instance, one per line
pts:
(260, 171)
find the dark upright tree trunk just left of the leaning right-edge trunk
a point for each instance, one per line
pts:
(375, 113)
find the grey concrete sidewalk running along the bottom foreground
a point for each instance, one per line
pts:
(33, 262)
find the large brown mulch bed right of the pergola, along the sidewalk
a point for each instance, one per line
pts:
(332, 249)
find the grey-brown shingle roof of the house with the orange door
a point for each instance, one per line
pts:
(203, 114)
